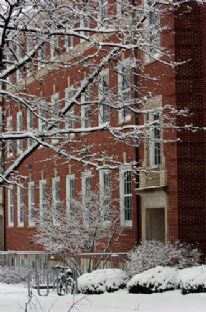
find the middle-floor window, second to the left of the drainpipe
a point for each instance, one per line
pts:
(104, 110)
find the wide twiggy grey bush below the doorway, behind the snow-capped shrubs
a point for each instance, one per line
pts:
(150, 254)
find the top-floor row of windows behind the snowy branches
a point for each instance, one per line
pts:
(151, 34)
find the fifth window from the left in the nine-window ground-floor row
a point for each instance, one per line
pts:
(56, 200)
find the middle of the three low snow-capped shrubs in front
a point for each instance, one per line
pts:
(158, 279)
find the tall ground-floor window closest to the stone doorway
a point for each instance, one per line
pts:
(126, 197)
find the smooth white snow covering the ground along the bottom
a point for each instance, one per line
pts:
(13, 298)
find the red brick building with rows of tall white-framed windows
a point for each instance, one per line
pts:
(166, 200)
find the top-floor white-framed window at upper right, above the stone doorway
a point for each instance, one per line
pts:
(151, 53)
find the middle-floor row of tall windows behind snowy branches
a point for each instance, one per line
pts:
(86, 122)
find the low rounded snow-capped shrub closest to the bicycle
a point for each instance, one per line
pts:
(99, 281)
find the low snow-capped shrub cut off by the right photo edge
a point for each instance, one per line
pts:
(192, 280)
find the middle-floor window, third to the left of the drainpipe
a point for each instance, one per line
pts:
(85, 109)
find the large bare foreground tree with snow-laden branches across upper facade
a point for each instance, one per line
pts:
(42, 37)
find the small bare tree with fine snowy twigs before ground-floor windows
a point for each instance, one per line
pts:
(90, 224)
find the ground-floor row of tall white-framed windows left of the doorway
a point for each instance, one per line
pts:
(43, 205)
